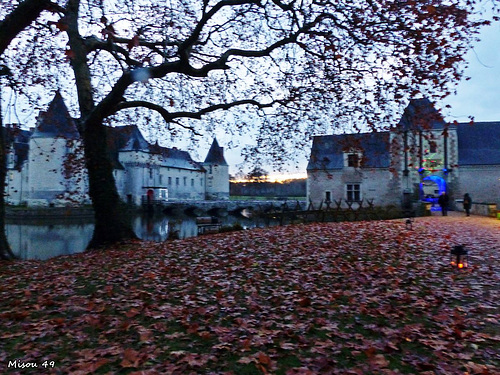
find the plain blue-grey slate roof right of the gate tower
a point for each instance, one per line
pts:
(478, 143)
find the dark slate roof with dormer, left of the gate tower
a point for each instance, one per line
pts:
(328, 150)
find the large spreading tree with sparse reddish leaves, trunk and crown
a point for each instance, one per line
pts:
(285, 70)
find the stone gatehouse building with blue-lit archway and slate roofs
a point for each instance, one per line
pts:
(418, 159)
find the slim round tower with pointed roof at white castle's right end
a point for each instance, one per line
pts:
(217, 176)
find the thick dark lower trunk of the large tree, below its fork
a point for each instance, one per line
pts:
(111, 224)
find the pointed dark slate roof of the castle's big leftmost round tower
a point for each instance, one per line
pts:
(56, 121)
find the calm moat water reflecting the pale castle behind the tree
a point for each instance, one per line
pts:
(47, 238)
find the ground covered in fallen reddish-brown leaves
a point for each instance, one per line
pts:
(339, 298)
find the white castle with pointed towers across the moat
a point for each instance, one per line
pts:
(45, 165)
